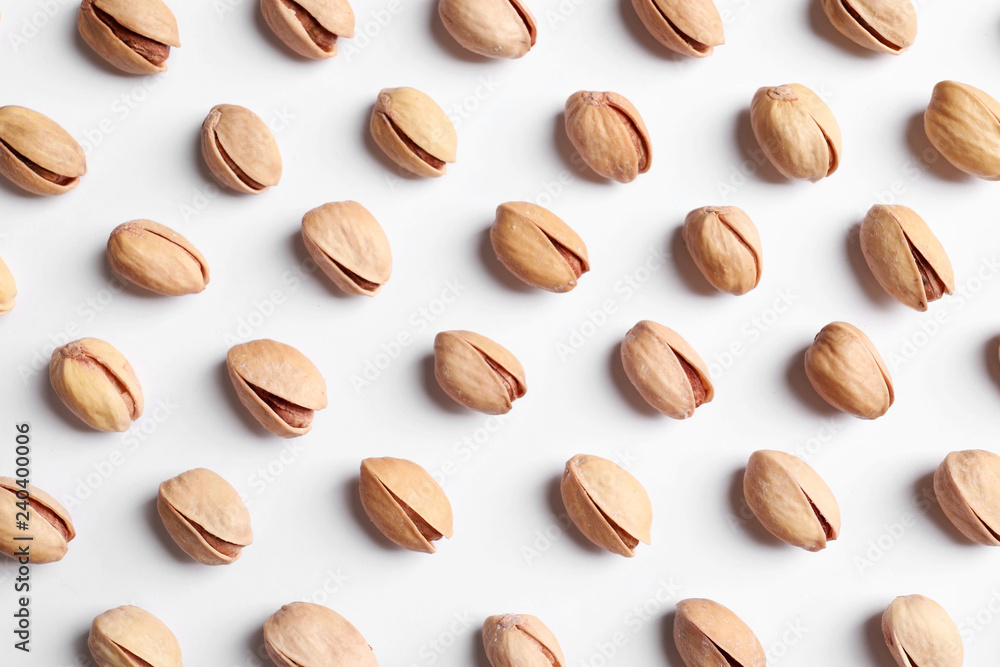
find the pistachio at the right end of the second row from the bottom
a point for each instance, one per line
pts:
(967, 486)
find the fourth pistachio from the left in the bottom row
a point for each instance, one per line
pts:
(708, 634)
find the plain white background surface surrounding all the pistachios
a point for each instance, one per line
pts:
(509, 553)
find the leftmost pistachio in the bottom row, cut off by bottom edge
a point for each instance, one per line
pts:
(132, 637)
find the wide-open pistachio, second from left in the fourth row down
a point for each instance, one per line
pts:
(278, 384)
